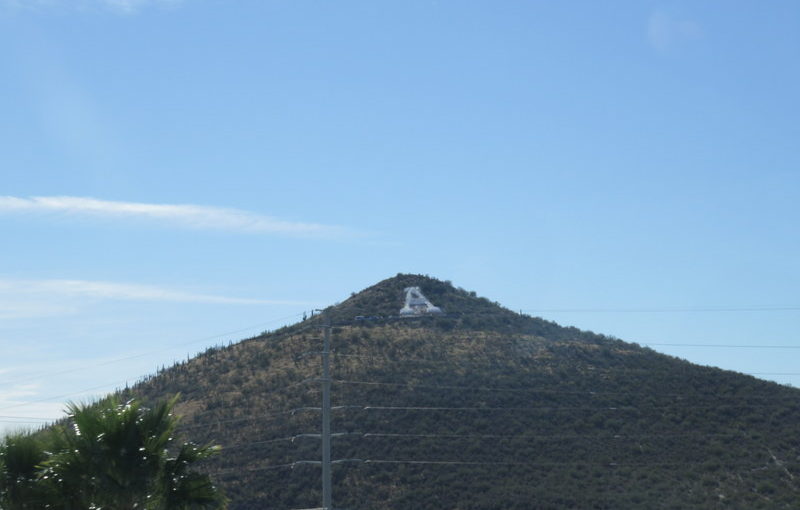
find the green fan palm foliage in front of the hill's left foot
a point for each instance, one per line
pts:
(112, 455)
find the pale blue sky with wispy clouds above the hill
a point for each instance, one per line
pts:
(178, 174)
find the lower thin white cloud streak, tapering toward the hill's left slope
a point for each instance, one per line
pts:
(26, 289)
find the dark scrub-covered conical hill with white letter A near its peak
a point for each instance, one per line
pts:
(481, 408)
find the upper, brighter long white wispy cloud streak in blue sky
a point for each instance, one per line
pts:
(178, 215)
